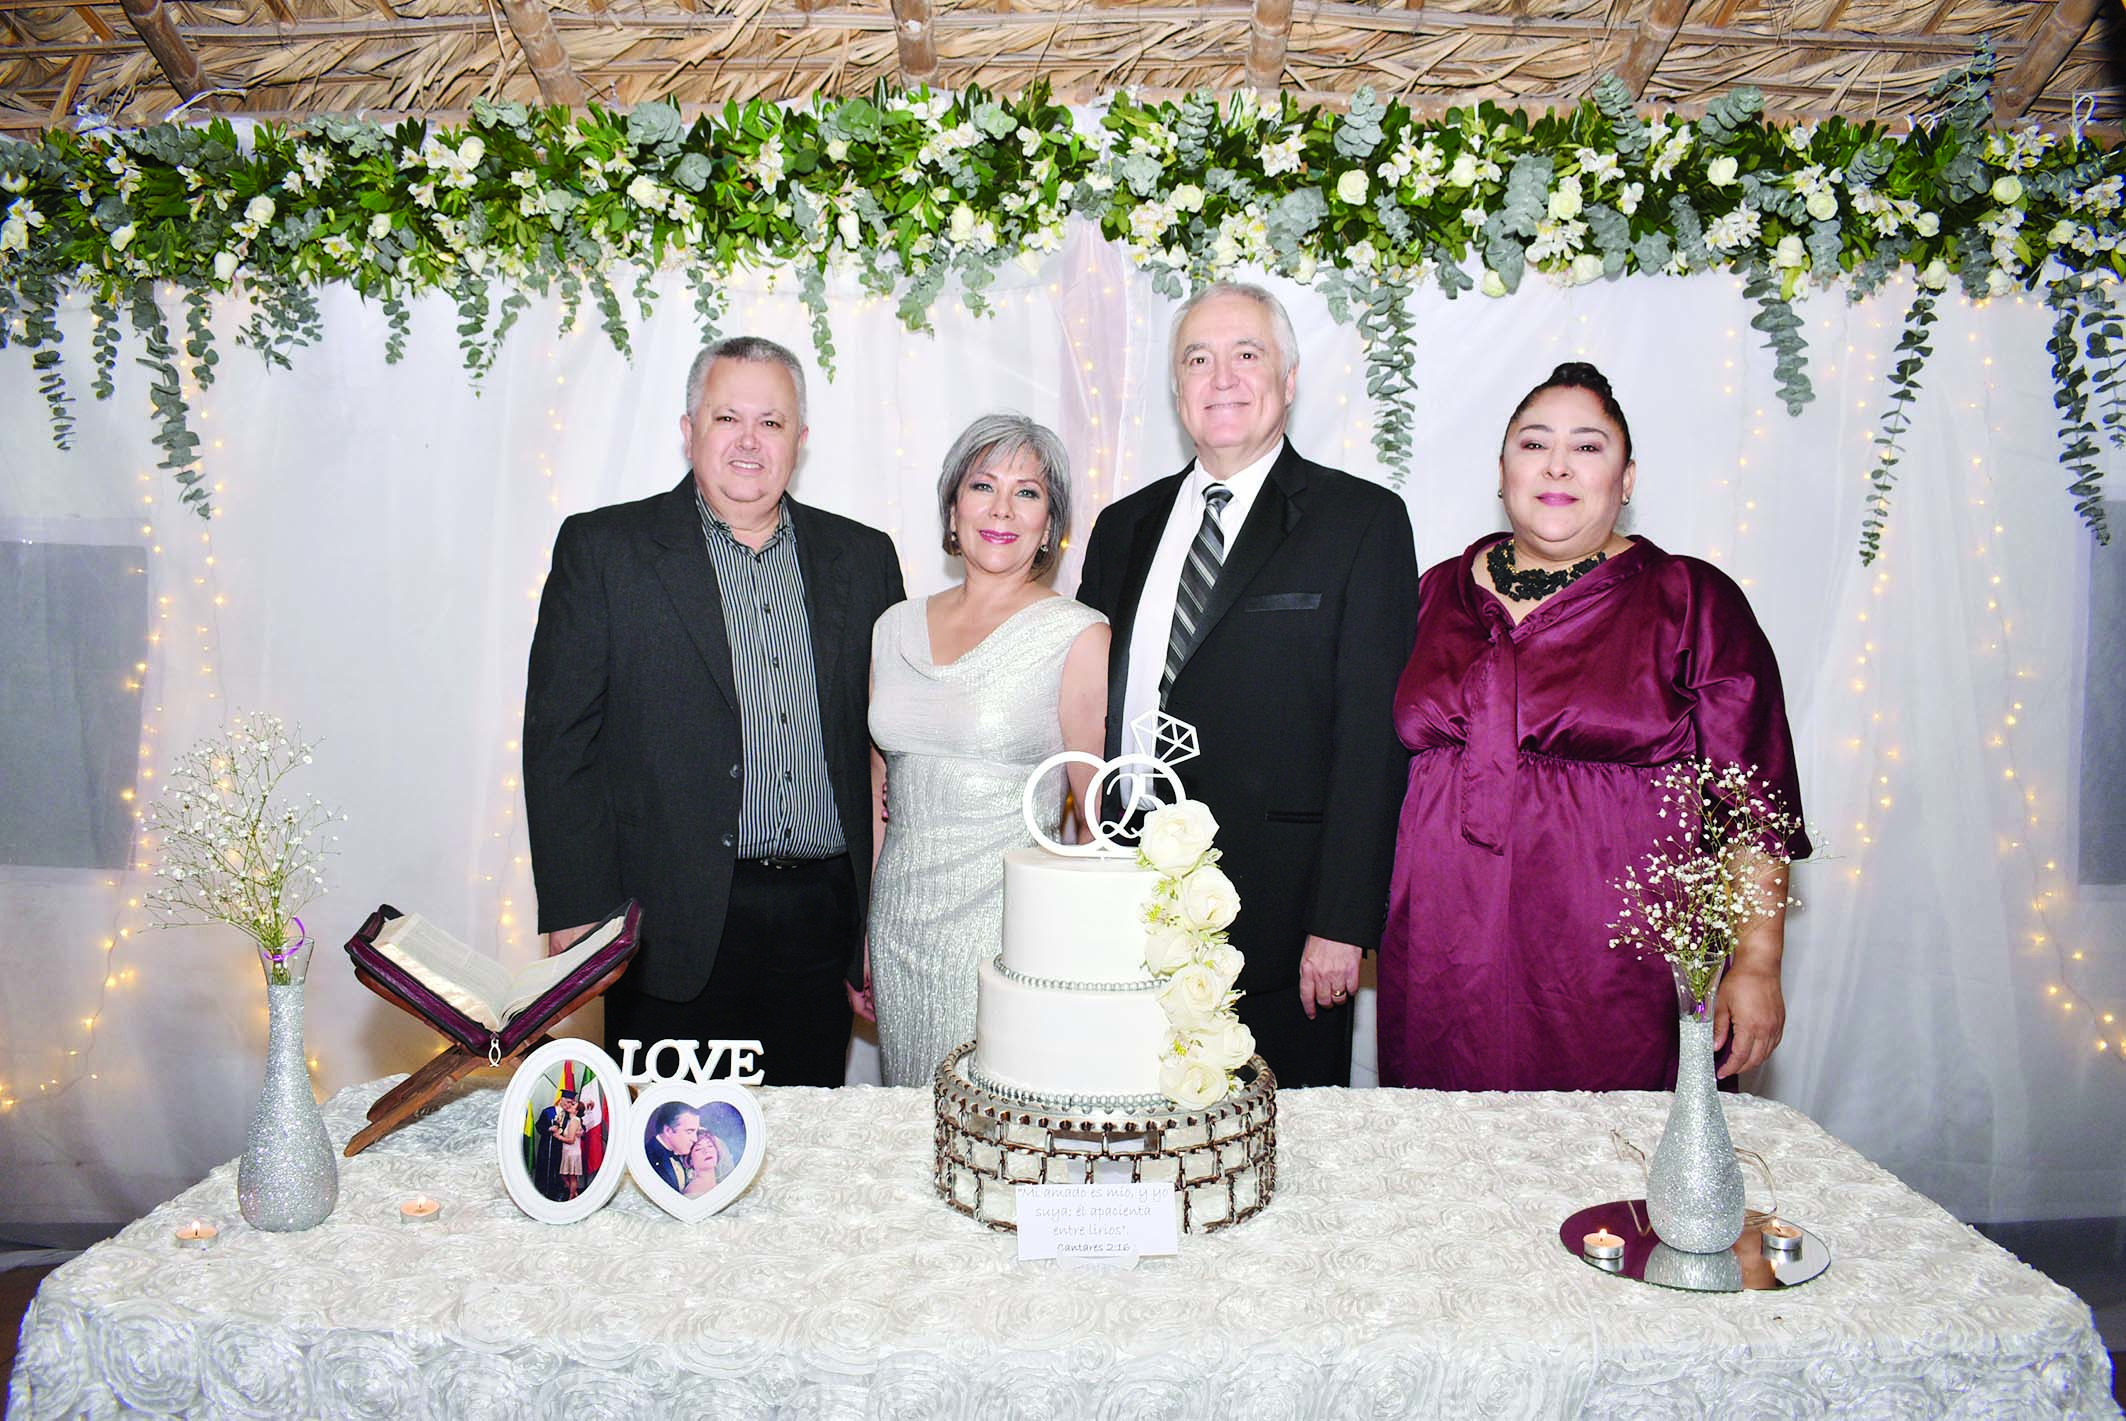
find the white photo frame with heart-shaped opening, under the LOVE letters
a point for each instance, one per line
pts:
(694, 1148)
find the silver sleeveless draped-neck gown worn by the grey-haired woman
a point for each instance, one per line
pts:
(960, 743)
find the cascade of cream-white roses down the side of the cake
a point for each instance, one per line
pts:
(1185, 943)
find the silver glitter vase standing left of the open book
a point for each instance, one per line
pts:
(288, 1180)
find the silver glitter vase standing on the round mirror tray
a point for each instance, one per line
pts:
(1693, 1190)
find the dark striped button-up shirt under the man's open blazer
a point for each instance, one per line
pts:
(788, 803)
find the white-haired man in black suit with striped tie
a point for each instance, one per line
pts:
(1270, 603)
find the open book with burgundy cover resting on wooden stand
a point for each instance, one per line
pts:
(473, 999)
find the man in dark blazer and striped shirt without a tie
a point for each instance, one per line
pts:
(696, 733)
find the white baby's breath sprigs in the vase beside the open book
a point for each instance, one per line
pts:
(233, 852)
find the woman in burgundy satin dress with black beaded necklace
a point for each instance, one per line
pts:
(1557, 671)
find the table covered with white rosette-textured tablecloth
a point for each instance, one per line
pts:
(1411, 1265)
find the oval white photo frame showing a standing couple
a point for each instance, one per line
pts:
(535, 1124)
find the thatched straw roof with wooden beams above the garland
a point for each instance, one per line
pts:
(1863, 58)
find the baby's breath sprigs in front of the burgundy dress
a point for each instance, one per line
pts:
(1708, 880)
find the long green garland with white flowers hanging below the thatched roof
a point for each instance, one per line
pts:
(915, 190)
